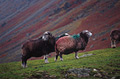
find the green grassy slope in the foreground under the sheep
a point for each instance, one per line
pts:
(103, 63)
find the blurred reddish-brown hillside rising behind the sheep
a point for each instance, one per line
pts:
(23, 20)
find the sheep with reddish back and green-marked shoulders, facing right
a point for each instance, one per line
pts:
(69, 44)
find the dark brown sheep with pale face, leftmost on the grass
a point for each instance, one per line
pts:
(38, 48)
